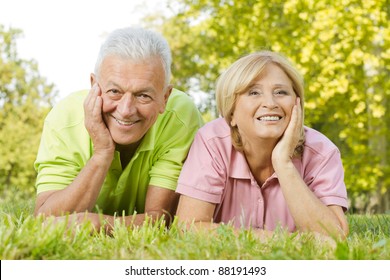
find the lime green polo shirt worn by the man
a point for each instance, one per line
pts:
(66, 147)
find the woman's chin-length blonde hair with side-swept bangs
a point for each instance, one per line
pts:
(239, 77)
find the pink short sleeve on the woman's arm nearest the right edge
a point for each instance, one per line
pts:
(327, 180)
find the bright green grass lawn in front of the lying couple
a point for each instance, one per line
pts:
(23, 236)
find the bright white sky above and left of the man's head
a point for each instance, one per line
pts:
(64, 36)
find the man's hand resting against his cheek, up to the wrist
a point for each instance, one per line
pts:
(95, 125)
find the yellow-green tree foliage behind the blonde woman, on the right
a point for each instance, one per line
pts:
(341, 47)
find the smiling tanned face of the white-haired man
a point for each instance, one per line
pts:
(133, 96)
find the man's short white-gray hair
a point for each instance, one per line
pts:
(137, 44)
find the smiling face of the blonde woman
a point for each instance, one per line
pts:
(264, 111)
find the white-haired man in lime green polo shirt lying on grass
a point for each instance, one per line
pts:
(118, 150)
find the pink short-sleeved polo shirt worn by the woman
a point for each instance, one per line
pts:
(215, 172)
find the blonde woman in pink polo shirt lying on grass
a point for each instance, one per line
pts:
(258, 166)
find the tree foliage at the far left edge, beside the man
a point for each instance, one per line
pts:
(25, 98)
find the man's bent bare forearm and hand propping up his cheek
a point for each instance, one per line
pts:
(82, 193)
